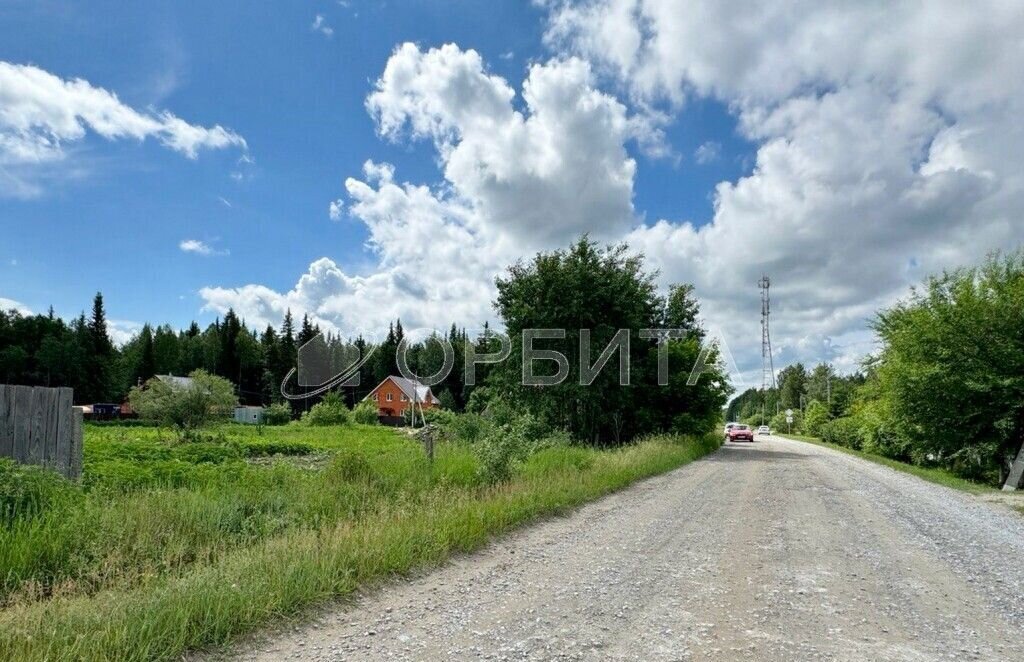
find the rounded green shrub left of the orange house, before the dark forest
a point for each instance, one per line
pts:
(206, 399)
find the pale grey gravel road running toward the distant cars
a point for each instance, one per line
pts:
(773, 551)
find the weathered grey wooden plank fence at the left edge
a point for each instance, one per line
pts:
(40, 427)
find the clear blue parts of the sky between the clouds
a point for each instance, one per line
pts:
(113, 214)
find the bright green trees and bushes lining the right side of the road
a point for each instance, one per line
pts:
(946, 392)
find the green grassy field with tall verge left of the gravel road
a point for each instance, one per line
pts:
(168, 547)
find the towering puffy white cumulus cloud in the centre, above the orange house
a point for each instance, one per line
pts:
(515, 182)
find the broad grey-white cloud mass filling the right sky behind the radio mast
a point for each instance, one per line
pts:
(889, 147)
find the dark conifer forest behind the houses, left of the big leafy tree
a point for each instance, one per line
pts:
(47, 351)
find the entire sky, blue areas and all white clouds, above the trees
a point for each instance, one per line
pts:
(456, 138)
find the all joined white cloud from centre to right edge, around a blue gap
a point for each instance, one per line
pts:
(888, 147)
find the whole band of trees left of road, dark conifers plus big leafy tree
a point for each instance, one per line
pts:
(589, 292)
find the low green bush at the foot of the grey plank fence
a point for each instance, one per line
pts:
(27, 491)
